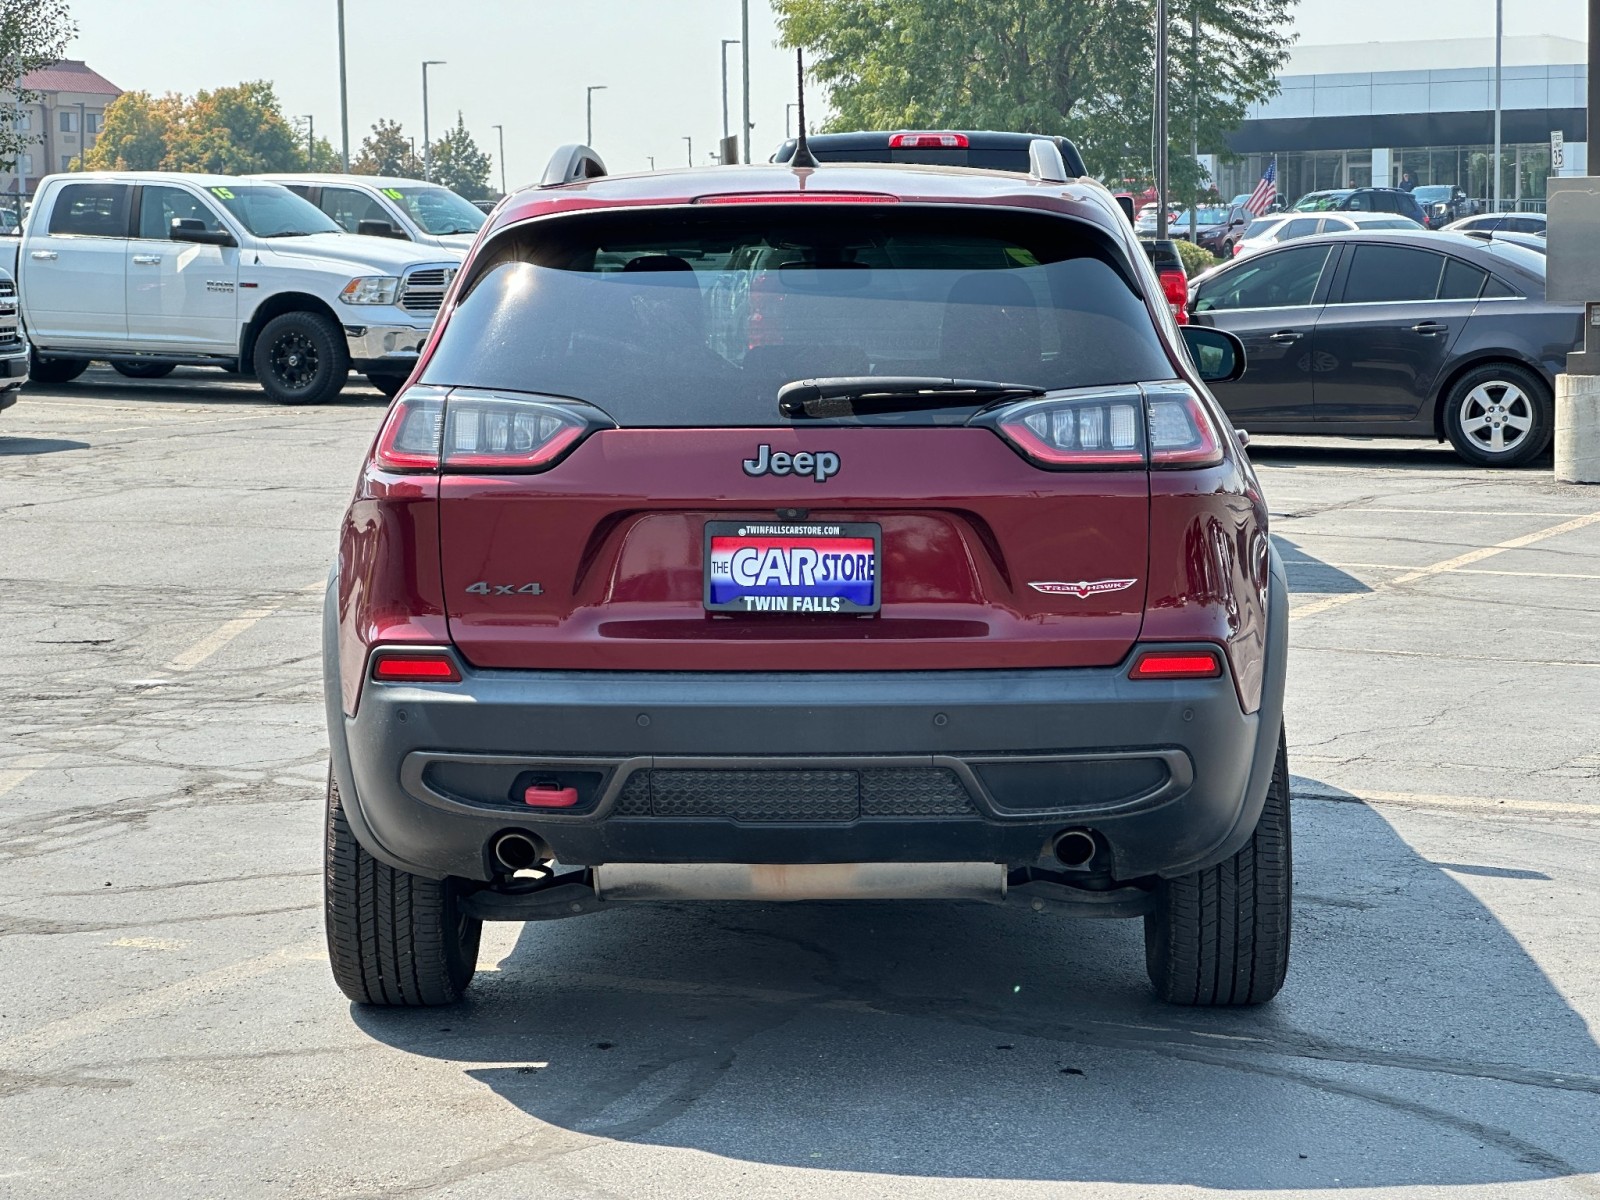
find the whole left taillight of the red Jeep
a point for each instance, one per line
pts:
(470, 430)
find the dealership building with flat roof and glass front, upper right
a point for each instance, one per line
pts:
(1364, 114)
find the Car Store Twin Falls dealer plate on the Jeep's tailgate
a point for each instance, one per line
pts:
(793, 569)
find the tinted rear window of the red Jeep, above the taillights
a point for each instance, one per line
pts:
(702, 316)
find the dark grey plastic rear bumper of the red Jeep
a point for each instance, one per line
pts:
(873, 767)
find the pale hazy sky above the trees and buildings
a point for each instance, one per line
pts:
(526, 63)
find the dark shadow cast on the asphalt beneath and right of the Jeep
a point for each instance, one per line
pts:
(1415, 1046)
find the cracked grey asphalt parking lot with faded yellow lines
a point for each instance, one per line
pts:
(169, 1026)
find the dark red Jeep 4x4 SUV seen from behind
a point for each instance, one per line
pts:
(809, 534)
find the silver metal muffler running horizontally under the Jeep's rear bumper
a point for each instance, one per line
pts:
(801, 882)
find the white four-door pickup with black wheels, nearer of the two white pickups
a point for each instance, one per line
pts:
(153, 271)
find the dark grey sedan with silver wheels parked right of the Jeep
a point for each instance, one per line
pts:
(1396, 335)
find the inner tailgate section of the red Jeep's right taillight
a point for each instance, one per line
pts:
(1103, 430)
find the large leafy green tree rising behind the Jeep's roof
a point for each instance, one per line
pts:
(1081, 68)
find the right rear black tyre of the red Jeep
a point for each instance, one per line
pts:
(1222, 937)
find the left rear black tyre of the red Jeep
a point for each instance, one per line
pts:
(393, 938)
